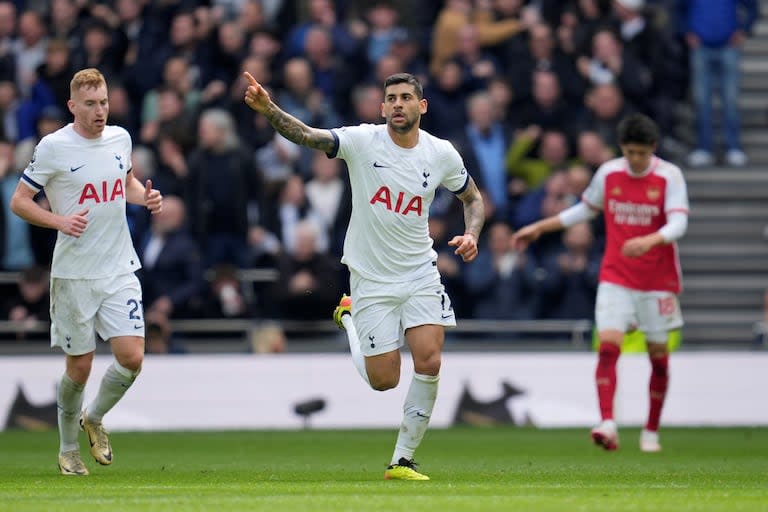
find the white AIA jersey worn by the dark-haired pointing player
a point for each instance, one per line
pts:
(392, 190)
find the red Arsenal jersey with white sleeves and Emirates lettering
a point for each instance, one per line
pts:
(635, 205)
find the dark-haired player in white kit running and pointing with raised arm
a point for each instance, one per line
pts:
(394, 170)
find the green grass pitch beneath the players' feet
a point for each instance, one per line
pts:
(472, 469)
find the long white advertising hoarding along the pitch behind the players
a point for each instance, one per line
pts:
(244, 391)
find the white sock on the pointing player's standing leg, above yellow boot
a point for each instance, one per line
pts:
(417, 410)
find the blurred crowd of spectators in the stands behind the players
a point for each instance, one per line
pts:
(530, 92)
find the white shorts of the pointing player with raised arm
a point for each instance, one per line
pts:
(382, 312)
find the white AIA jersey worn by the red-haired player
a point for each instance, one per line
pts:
(78, 174)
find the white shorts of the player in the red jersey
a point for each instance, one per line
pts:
(624, 309)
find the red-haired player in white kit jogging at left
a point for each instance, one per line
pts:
(85, 170)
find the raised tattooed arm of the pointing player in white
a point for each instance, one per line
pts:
(286, 125)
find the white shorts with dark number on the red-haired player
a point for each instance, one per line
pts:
(81, 308)
